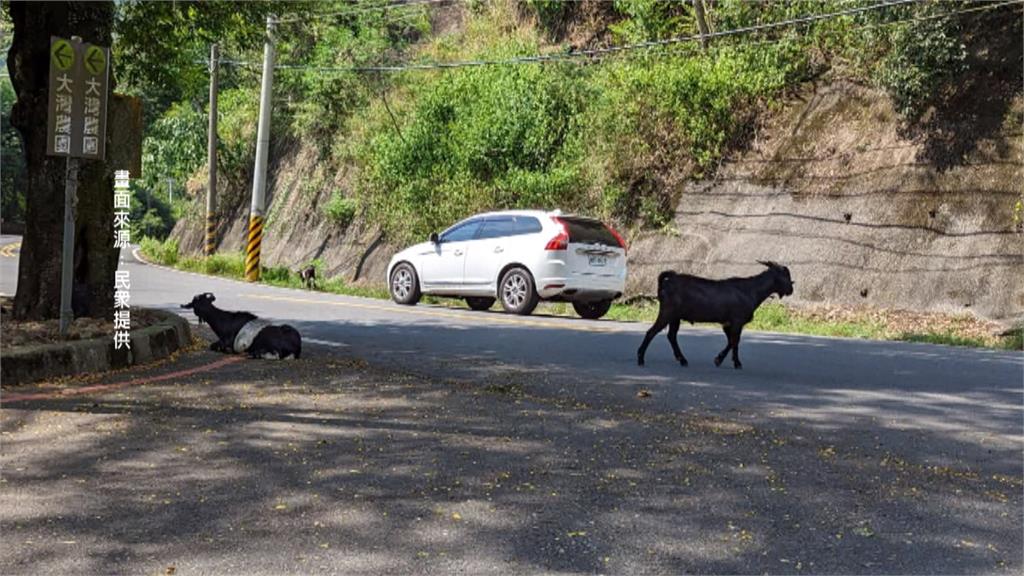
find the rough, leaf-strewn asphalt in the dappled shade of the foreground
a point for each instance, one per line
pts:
(330, 465)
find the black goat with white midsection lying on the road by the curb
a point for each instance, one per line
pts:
(243, 333)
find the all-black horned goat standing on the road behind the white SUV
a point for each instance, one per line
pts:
(730, 303)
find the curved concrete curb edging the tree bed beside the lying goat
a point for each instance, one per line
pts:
(98, 355)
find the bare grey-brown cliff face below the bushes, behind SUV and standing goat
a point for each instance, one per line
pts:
(830, 186)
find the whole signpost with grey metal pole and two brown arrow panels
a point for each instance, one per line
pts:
(76, 129)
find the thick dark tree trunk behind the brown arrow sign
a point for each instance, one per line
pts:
(96, 259)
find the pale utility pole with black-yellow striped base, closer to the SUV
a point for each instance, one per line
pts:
(263, 146)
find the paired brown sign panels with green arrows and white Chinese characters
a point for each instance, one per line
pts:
(78, 90)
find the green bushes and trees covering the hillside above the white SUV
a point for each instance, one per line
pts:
(614, 139)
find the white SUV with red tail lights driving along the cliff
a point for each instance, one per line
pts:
(520, 257)
